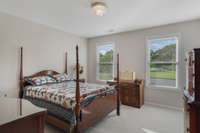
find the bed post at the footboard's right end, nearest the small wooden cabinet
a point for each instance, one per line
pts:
(118, 88)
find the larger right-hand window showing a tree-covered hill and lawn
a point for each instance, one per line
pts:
(162, 62)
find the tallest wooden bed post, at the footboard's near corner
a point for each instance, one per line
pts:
(77, 107)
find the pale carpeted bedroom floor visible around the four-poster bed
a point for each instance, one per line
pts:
(148, 119)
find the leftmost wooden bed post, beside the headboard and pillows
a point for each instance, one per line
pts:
(21, 74)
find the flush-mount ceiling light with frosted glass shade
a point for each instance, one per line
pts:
(99, 8)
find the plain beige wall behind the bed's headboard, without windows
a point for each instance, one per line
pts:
(44, 48)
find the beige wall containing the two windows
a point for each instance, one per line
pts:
(132, 49)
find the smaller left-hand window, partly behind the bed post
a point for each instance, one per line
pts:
(105, 62)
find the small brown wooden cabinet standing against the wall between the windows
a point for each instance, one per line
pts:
(132, 93)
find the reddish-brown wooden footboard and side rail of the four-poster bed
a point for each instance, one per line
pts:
(93, 113)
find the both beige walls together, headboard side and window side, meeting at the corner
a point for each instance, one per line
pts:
(44, 48)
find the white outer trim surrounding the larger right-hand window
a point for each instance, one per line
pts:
(148, 61)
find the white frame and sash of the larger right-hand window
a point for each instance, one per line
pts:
(148, 61)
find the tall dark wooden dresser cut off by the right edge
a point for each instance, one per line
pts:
(192, 101)
